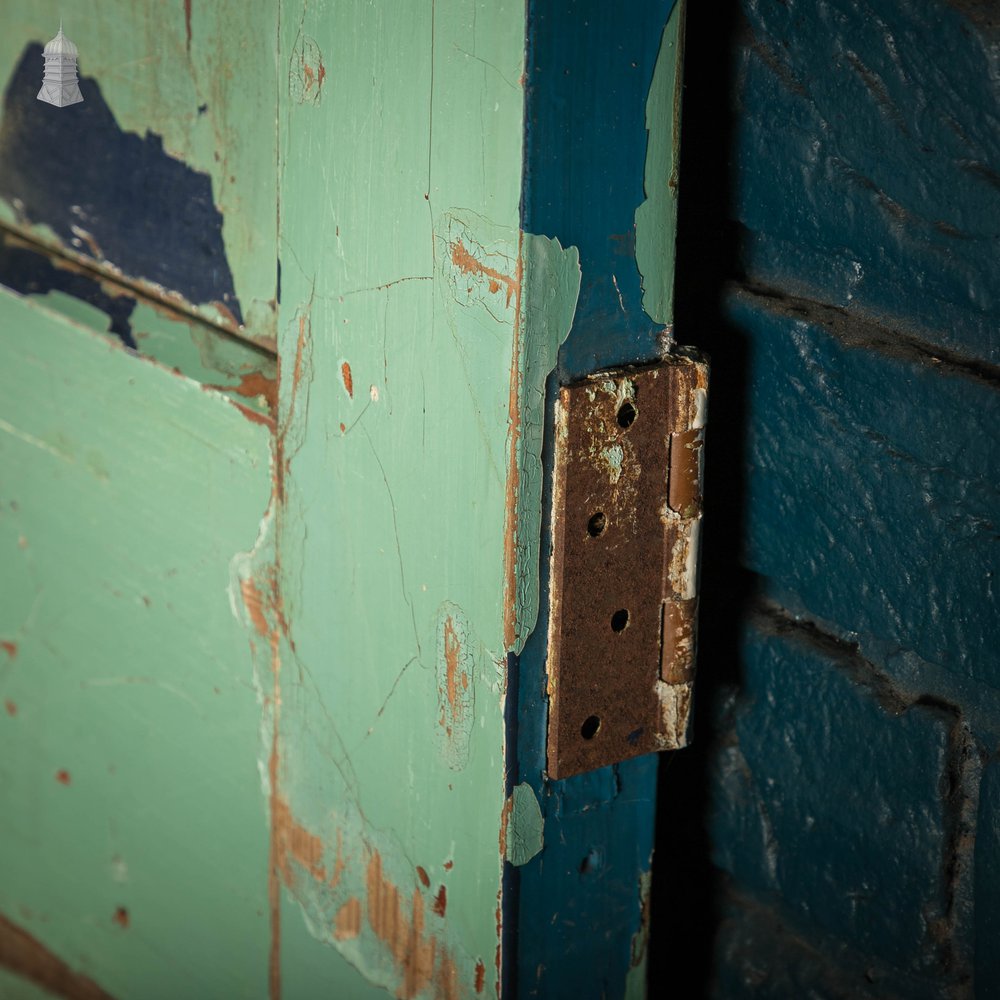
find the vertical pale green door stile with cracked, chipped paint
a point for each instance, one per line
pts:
(395, 568)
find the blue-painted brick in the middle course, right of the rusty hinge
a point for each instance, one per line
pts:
(871, 487)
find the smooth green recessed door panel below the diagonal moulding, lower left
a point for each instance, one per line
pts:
(132, 819)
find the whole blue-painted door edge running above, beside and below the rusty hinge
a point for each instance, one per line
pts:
(589, 69)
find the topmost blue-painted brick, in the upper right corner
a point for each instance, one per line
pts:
(873, 181)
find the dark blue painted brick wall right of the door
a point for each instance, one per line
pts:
(836, 832)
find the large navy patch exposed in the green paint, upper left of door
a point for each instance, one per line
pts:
(147, 213)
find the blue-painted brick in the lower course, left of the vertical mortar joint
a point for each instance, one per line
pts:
(835, 796)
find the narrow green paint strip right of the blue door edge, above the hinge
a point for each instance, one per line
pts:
(656, 217)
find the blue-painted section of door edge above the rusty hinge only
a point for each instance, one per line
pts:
(589, 69)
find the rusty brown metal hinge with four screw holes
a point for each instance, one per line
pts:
(625, 529)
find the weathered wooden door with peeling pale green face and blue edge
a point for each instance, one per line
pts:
(276, 342)
